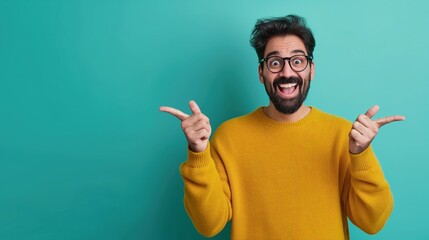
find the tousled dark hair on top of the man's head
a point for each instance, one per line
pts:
(281, 26)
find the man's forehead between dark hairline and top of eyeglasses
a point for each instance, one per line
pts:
(285, 46)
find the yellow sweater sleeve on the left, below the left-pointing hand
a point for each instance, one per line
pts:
(207, 194)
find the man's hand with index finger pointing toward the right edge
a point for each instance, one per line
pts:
(364, 129)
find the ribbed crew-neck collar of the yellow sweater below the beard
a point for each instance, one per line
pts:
(261, 116)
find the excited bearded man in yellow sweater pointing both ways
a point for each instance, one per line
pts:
(286, 171)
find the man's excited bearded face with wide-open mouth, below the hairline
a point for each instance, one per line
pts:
(288, 88)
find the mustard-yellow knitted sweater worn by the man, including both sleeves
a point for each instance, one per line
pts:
(278, 180)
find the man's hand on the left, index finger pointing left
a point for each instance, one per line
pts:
(196, 127)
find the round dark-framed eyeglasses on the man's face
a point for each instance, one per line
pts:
(298, 63)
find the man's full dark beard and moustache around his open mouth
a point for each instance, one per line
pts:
(287, 106)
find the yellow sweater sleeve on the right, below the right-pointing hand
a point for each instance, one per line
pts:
(369, 200)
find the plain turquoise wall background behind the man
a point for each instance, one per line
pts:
(85, 153)
